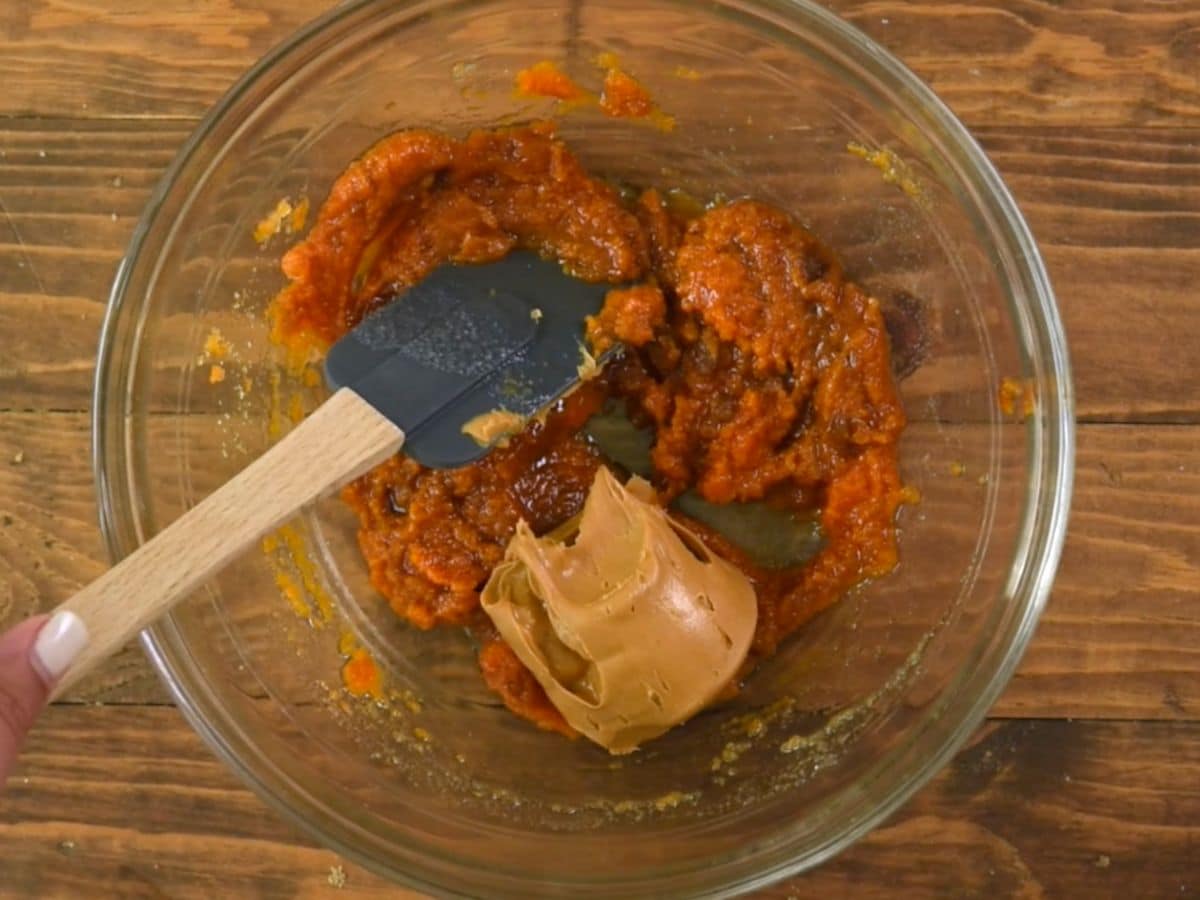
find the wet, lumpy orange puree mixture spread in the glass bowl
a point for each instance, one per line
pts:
(760, 371)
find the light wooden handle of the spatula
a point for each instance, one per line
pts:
(343, 440)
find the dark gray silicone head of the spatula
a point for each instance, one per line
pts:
(467, 341)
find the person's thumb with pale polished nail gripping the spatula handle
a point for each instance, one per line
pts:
(33, 658)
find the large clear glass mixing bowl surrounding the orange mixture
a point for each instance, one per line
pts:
(431, 783)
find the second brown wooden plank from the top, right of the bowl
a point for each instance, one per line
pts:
(1118, 218)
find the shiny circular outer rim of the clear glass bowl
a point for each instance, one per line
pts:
(1045, 525)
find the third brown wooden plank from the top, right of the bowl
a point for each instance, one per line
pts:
(1124, 609)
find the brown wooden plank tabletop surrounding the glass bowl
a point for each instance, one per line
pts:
(1087, 779)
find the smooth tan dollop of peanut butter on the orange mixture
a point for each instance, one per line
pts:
(627, 620)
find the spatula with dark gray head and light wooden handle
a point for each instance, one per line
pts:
(466, 341)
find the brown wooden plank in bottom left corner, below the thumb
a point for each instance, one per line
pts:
(176, 824)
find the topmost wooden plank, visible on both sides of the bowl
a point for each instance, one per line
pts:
(1025, 62)
